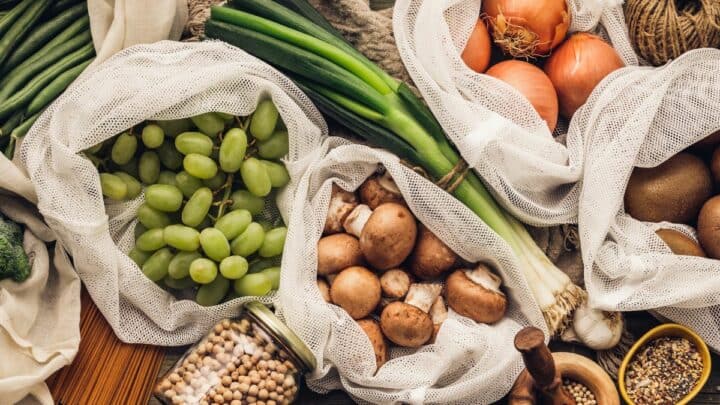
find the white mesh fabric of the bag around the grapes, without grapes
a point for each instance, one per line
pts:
(166, 80)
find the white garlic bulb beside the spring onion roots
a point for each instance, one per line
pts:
(596, 329)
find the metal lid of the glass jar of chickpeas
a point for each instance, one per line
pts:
(282, 333)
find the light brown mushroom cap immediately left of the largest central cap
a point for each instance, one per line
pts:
(337, 252)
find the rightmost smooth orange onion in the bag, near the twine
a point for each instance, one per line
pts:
(577, 66)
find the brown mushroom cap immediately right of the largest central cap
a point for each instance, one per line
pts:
(431, 257)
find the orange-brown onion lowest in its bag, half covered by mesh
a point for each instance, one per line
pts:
(532, 83)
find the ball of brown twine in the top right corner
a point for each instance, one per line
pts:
(663, 29)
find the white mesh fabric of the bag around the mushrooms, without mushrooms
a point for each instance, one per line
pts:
(469, 362)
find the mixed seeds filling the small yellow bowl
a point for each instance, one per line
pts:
(664, 371)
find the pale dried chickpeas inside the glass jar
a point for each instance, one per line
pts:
(235, 364)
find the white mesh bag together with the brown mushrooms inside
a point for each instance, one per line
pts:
(469, 361)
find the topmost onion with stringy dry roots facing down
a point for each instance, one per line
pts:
(527, 28)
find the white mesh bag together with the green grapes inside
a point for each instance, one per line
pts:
(184, 147)
